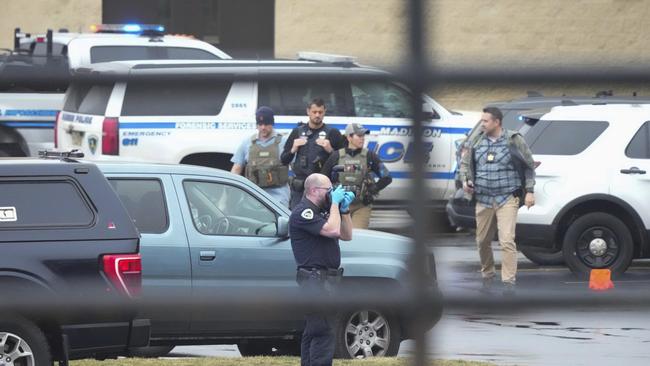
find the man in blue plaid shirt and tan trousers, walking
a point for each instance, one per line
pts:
(499, 172)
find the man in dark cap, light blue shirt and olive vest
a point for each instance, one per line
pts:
(259, 157)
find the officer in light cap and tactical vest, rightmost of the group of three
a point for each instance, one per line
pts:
(358, 166)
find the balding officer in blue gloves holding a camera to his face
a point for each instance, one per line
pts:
(316, 225)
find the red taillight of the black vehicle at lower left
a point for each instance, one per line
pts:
(124, 271)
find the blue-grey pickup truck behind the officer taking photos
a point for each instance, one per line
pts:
(206, 231)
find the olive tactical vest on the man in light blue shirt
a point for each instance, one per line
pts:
(264, 167)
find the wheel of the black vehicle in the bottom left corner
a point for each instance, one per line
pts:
(22, 343)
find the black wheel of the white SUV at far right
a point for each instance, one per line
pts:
(598, 240)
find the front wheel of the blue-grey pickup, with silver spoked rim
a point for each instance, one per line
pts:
(367, 333)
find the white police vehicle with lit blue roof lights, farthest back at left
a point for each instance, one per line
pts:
(35, 74)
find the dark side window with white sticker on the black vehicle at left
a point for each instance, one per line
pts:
(32, 204)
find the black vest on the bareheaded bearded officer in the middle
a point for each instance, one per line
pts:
(310, 157)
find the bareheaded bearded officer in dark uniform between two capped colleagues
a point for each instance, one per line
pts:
(308, 147)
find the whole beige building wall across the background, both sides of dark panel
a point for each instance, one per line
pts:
(508, 33)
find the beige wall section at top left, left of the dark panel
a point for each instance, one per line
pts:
(36, 16)
